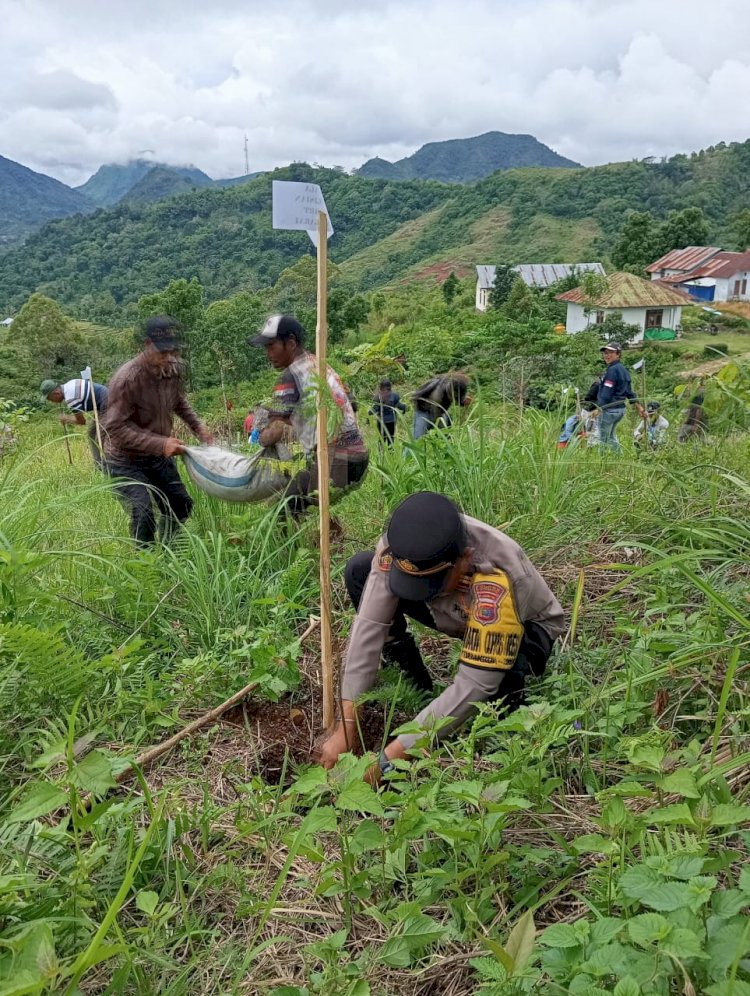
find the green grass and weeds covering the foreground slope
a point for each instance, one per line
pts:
(593, 842)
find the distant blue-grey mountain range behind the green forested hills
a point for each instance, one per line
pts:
(29, 199)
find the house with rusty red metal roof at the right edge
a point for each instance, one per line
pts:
(716, 276)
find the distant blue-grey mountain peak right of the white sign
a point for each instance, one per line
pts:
(463, 160)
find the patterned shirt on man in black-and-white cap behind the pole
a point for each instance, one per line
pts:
(294, 396)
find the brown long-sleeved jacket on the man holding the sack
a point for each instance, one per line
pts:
(142, 401)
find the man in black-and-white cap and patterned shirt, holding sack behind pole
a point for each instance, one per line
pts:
(283, 338)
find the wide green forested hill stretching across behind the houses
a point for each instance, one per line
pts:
(385, 230)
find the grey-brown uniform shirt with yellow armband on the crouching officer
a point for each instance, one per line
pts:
(503, 591)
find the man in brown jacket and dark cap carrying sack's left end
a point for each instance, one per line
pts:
(144, 395)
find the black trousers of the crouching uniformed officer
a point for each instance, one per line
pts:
(533, 654)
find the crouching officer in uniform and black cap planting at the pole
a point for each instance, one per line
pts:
(459, 576)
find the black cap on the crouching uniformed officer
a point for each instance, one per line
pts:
(425, 538)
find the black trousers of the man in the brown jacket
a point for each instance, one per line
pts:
(148, 481)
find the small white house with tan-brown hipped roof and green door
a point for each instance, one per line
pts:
(640, 302)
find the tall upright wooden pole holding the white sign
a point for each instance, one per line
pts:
(326, 649)
